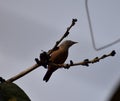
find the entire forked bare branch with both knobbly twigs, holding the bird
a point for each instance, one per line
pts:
(45, 56)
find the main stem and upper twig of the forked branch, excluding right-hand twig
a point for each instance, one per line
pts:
(44, 57)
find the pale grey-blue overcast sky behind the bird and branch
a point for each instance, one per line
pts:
(29, 26)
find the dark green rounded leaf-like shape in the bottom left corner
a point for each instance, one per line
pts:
(11, 92)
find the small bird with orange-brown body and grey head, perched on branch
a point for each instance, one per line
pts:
(58, 56)
